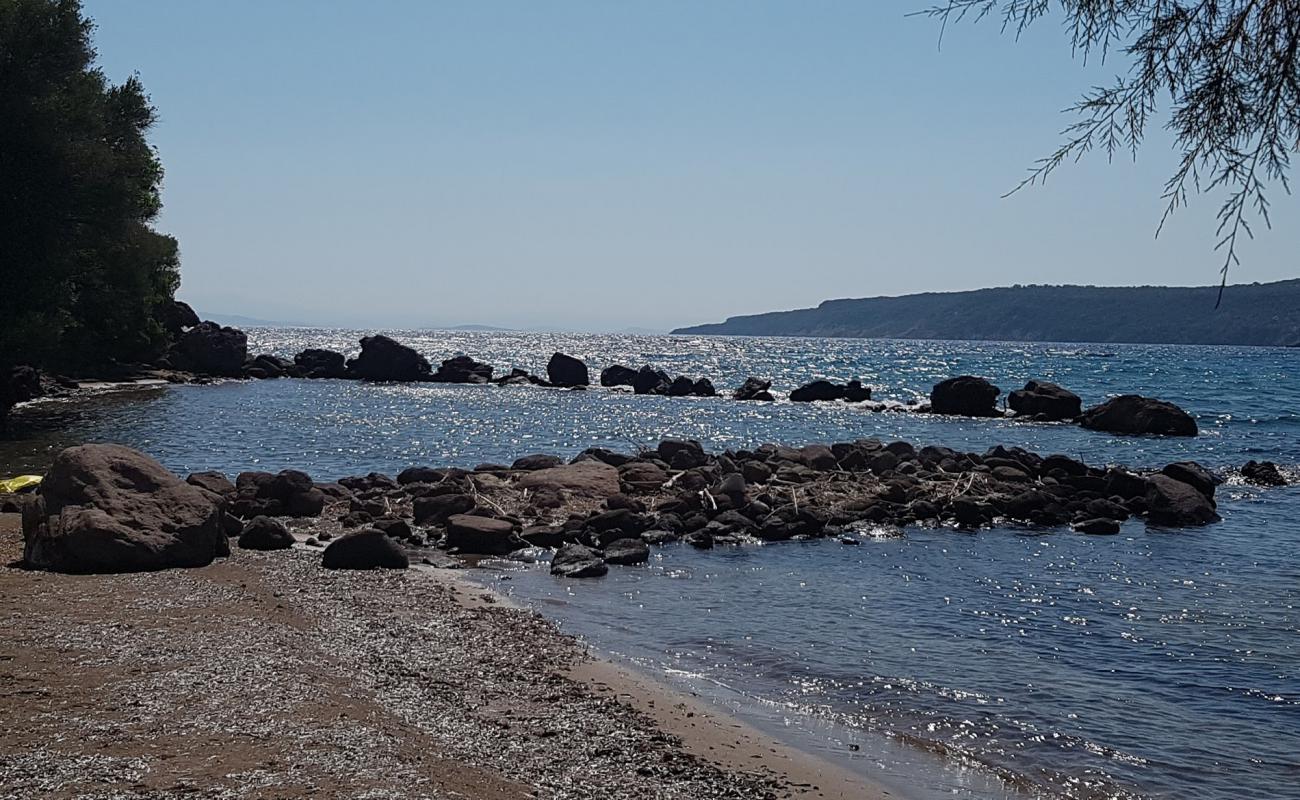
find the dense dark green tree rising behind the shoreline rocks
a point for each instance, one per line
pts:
(83, 273)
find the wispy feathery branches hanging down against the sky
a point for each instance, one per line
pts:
(1228, 70)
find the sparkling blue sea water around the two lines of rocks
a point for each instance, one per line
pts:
(1007, 663)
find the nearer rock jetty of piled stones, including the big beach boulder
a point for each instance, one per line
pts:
(110, 509)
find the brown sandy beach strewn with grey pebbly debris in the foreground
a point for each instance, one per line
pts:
(265, 676)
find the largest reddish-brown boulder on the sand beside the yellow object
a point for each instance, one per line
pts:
(111, 509)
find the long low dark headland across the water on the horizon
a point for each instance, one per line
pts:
(1251, 314)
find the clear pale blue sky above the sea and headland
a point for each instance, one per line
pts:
(599, 166)
